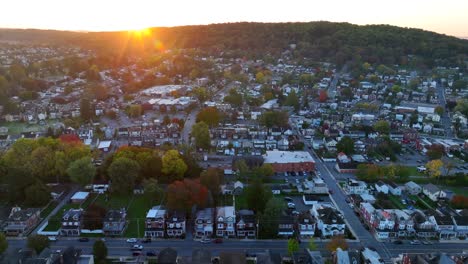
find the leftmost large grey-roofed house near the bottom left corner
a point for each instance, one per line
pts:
(22, 221)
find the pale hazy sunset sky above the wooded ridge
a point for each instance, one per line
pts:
(448, 16)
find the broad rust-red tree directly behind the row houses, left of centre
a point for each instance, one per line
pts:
(182, 195)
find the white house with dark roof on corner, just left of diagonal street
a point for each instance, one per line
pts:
(329, 221)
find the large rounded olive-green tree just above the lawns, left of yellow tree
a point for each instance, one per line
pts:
(123, 172)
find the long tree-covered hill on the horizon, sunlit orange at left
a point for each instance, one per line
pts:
(338, 42)
